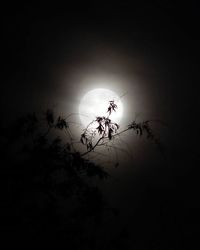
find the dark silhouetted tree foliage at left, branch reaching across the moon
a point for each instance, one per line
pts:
(51, 194)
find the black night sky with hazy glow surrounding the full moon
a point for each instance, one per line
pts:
(53, 54)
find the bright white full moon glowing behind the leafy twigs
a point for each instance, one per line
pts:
(95, 103)
